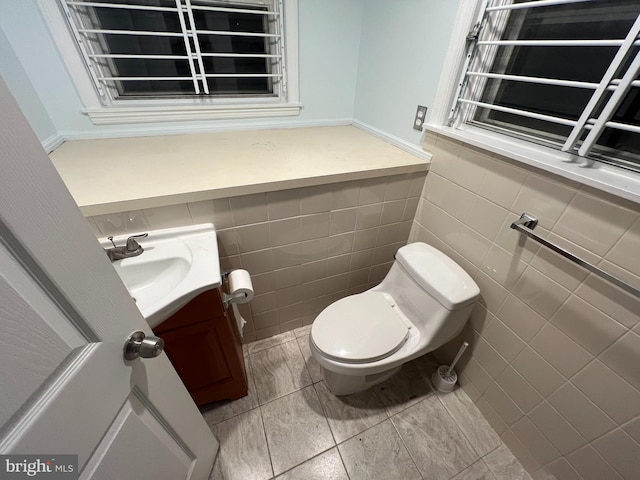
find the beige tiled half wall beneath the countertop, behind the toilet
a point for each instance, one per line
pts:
(304, 248)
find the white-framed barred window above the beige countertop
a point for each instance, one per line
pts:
(155, 60)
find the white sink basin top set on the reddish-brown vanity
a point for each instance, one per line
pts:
(177, 265)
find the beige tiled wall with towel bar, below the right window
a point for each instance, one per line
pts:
(555, 356)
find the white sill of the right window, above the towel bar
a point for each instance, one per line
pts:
(613, 180)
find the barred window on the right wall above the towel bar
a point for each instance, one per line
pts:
(564, 73)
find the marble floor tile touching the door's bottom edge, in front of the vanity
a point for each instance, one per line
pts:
(243, 451)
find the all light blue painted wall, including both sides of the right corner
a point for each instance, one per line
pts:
(368, 60)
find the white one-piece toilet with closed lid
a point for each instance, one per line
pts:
(422, 303)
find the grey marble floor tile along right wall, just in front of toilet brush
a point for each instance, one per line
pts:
(482, 437)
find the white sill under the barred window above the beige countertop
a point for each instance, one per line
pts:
(179, 113)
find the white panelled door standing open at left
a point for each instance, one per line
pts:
(65, 387)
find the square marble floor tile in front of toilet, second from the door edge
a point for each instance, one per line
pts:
(296, 429)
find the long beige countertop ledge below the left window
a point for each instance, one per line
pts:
(120, 174)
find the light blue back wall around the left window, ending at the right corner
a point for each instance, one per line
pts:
(328, 45)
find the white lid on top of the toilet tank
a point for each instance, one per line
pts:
(438, 275)
